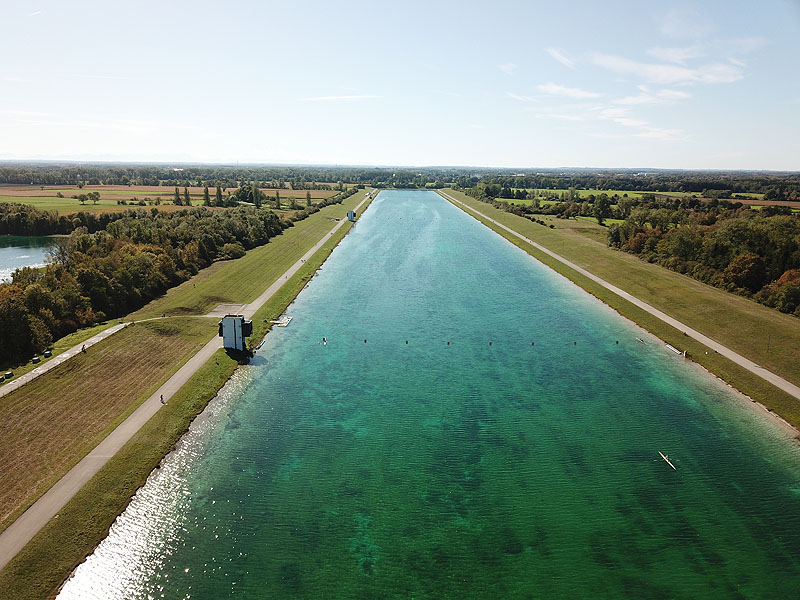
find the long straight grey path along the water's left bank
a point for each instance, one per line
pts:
(19, 533)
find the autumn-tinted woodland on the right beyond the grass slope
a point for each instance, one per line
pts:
(754, 253)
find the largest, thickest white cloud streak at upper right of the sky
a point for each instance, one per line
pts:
(669, 74)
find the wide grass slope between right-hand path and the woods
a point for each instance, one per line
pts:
(765, 336)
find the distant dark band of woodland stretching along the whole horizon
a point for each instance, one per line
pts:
(778, 185)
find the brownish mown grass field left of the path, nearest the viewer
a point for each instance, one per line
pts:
(49, 424)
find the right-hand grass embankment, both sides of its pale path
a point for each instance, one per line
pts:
(765, 336)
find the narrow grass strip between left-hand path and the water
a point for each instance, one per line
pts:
(49, 558)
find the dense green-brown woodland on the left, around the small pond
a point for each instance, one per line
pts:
(112, 264)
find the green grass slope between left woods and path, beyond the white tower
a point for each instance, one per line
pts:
(244, 279)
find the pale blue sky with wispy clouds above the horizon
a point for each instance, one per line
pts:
(682, 85)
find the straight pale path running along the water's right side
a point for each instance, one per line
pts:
(740, 360)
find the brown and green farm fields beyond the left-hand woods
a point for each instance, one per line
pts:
(47, 197)
